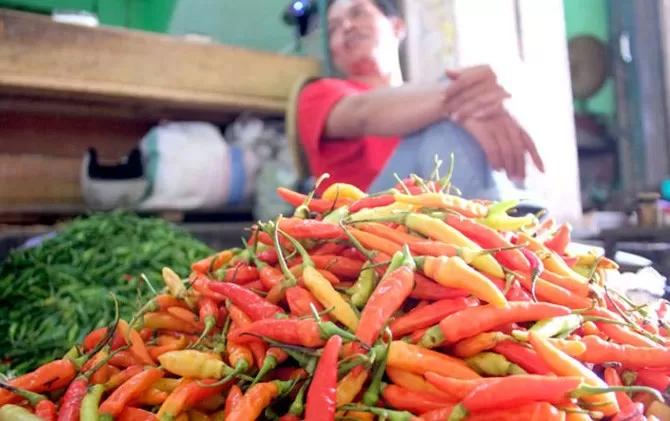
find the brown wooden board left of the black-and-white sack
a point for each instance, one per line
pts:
(39, 179)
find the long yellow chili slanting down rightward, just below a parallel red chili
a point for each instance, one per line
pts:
(439, 230)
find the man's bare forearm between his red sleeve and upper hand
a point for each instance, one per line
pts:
(387, 112)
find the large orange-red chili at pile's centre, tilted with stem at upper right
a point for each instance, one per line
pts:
(386, 299)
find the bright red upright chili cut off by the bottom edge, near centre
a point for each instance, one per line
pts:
(321, 399)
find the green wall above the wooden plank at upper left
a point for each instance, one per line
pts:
(247, 23)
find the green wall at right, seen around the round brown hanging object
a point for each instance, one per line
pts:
(590, 17)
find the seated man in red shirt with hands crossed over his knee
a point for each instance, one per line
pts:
(368, 126)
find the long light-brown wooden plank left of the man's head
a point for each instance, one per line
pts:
(42, 58)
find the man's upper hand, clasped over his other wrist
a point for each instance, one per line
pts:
(473, 93)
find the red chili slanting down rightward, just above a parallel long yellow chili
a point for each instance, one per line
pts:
(489, 238)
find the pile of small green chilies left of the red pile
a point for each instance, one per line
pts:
(53, 294)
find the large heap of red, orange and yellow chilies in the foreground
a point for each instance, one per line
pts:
(411, 304)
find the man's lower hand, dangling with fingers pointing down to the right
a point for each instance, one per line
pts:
(505, 144)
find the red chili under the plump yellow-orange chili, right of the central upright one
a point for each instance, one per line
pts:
(428, 315)
